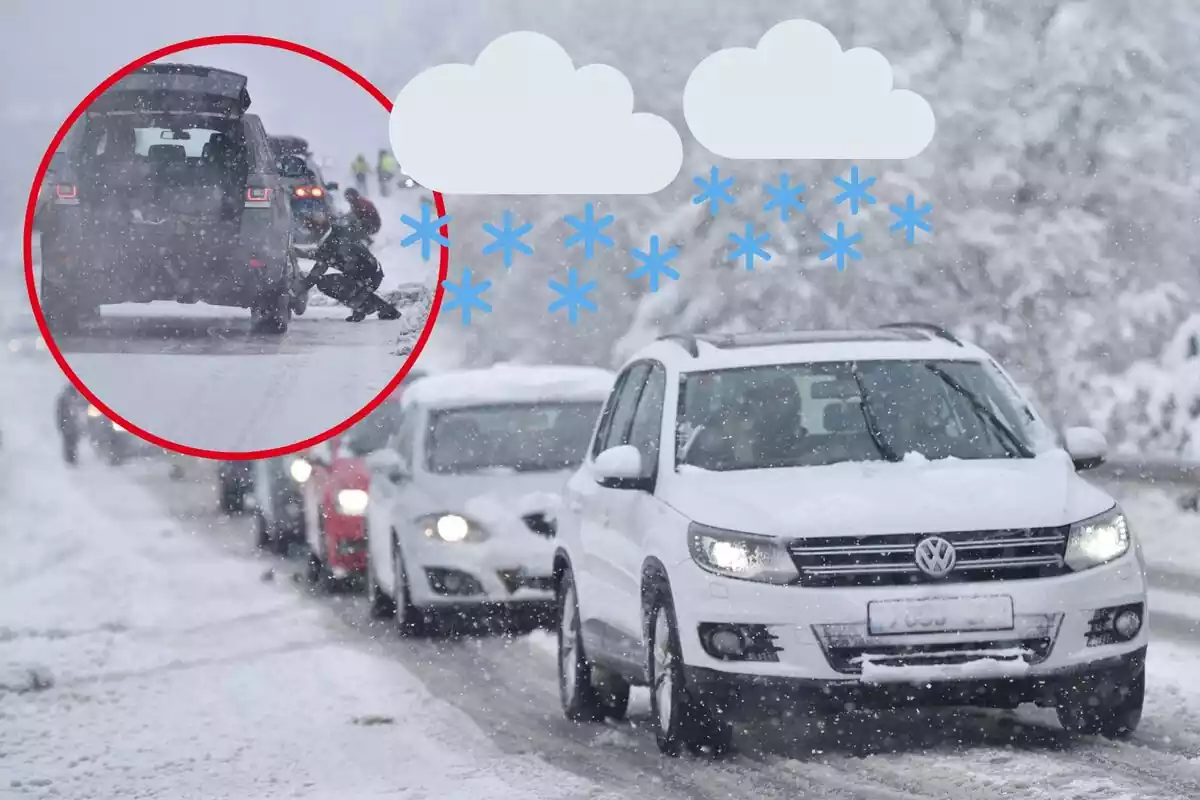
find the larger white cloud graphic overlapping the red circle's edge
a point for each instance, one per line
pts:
(524, 121)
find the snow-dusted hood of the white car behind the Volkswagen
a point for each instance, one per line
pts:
(497, 502)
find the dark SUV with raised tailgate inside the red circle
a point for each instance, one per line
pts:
(170, 191)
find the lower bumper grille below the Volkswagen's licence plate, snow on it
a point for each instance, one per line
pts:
(849, 660)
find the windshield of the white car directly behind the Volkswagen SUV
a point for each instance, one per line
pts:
(542, 437)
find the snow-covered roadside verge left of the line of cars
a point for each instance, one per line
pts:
(139, 660)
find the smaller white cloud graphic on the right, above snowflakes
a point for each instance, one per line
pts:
(800, 97)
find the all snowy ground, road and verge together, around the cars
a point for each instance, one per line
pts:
(145, 653)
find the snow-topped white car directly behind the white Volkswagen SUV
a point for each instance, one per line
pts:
(464, 502)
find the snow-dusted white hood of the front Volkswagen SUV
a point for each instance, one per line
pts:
(890, 498)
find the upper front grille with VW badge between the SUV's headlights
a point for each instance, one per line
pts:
(890, 561)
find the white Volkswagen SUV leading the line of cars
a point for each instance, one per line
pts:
(824, 521)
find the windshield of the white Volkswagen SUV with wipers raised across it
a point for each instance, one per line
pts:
(818, 414)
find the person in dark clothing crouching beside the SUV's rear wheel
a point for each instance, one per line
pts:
(346, 250)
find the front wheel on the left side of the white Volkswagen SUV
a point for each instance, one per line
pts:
(681, 720)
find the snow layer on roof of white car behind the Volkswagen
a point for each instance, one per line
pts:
(511, 383)
